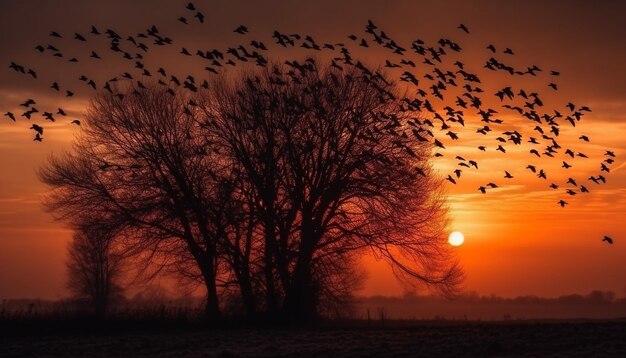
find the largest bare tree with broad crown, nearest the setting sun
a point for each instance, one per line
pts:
(333, 157)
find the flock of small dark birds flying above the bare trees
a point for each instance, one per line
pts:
(449, 98)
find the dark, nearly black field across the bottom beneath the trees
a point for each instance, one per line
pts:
(347, 339)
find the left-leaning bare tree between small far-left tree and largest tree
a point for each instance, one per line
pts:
(140, 162)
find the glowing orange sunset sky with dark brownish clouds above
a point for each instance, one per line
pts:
(518, 241)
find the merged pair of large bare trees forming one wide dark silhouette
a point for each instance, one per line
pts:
(275, 182)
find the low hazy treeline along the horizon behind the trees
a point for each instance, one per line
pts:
(155, 303)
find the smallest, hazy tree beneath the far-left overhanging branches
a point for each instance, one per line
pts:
(94, 269)
